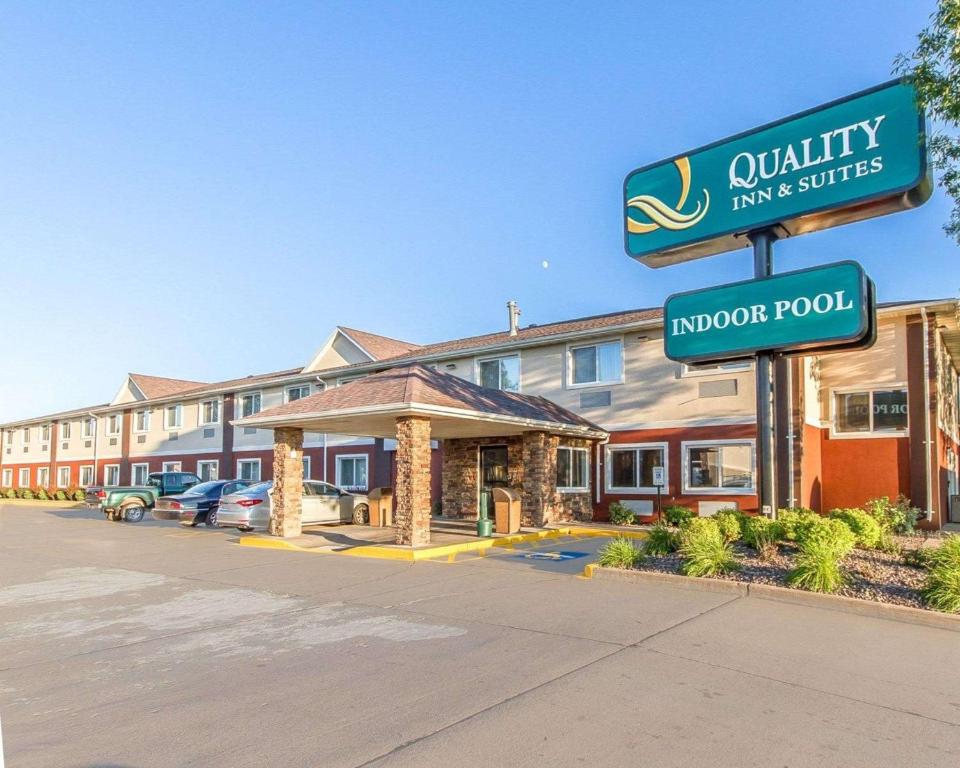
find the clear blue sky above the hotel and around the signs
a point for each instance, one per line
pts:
(203, 190)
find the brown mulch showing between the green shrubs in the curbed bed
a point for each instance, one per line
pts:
(871, 575)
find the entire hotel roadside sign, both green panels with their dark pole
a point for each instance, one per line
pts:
(849, 160)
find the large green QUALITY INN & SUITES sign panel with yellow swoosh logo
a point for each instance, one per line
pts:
(853, 159)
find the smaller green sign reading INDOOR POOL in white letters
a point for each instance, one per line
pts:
(820, 308)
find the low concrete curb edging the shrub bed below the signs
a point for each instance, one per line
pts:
(853, 605)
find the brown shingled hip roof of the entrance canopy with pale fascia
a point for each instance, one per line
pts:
(457, 408)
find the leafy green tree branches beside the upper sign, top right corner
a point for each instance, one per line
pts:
(934, 67)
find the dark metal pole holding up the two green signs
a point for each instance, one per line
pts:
(766, 445)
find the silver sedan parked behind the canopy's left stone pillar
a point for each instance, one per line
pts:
(249, 509)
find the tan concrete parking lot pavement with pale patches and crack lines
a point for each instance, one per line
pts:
(152, 645)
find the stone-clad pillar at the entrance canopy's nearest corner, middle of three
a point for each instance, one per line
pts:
(411, 498)
